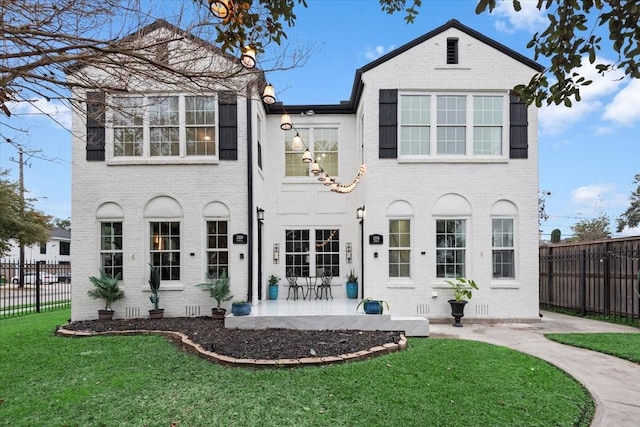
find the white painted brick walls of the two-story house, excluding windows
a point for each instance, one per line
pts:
(304, 203)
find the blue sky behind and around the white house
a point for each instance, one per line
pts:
(588, 154)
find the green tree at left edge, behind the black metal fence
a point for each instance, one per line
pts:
(26, 227)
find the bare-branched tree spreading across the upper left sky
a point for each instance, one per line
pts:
(45, 40)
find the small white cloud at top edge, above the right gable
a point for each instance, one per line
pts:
(529, 18)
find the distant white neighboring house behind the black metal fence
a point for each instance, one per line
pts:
(57, 250)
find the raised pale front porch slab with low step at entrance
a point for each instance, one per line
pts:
(339, 313)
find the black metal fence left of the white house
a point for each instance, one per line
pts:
(36, 287)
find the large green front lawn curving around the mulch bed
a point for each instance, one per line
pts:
(47, 380)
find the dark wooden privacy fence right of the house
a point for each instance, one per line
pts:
(592, 277)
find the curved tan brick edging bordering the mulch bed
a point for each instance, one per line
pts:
(183, 341)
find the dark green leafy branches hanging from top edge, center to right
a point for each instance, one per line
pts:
(568, 40)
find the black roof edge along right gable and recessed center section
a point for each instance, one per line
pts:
(356, 91)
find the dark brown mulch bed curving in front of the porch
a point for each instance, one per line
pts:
(250, 344)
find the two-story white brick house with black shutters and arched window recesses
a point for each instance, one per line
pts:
(167, 176)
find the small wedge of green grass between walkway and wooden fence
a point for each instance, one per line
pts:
(622, 345)
